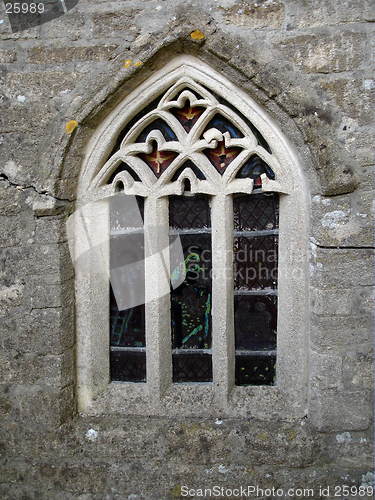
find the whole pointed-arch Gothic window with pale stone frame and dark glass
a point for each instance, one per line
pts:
(183, 190)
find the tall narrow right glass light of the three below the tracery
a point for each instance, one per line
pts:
(255, 283)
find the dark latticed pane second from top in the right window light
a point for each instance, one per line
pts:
(255, 263)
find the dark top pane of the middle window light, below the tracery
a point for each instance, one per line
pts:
(189, 212)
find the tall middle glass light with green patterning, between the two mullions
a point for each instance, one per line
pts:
(191, 301)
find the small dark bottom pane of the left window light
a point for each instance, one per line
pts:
(128, 366)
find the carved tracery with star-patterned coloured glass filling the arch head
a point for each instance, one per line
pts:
(194, 127)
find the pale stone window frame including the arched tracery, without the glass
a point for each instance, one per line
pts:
(117, 155)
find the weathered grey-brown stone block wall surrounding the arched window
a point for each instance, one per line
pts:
(310, 65)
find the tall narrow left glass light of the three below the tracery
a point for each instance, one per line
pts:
(127, 290)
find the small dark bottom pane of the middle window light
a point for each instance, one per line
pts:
(192, 367)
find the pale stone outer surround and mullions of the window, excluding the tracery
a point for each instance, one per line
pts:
(288, 398)
